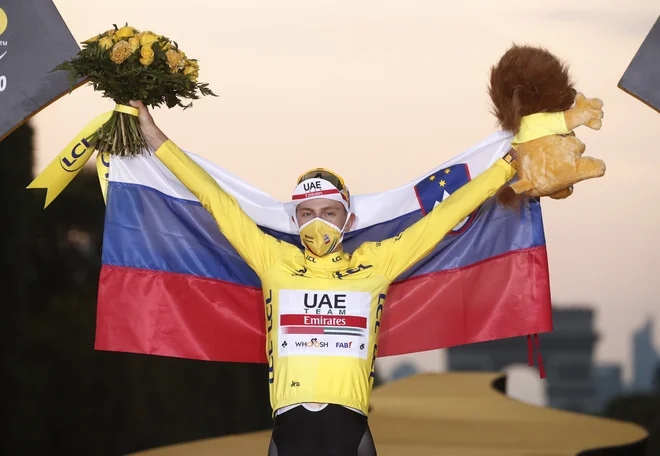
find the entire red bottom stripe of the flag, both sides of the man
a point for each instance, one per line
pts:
(185, 316)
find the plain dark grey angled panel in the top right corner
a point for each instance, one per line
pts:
(642, 77)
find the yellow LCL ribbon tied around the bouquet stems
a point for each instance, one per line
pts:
(64, 168)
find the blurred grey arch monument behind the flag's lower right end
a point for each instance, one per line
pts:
(567, 354)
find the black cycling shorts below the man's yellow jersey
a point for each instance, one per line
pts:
(332, 431)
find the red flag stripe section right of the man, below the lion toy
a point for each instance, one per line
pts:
(505, 296)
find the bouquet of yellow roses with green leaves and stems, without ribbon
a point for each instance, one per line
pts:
(126, 64)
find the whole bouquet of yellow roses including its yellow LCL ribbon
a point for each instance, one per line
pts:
(124, 64)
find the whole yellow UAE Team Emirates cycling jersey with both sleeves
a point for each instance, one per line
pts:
(323, 313)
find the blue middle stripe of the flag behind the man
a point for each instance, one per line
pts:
(147, 229)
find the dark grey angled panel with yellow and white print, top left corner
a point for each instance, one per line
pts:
(33, 40)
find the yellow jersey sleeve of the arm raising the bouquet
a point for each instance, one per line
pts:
(257, 248)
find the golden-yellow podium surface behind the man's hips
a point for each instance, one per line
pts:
(454, 414)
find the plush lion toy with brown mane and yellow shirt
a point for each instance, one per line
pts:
(534, 98)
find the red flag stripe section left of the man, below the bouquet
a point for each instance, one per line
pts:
(179, 315)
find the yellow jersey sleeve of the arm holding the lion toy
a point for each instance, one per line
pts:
(395, 255)
